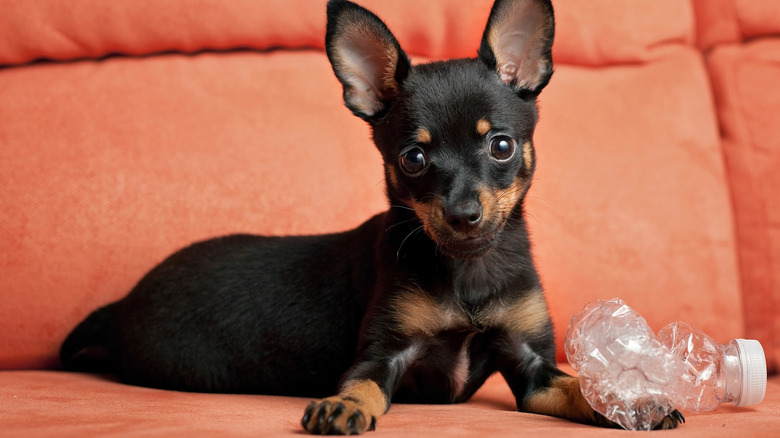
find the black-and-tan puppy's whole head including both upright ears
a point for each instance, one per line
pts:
(456, 136)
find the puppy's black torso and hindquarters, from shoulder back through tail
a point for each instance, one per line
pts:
(239, 314)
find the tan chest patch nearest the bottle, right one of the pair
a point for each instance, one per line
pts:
(528, 315)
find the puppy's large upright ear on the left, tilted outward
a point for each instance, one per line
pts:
(366, 58)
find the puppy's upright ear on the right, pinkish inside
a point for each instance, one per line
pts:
(517, 43)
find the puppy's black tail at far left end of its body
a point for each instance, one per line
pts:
(87, 347)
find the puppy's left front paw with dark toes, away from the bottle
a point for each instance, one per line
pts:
(337, 416)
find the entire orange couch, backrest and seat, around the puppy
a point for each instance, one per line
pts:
(130, 128)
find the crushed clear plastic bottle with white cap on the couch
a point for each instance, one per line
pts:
(635, 378)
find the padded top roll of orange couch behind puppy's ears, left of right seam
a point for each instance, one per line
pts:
(596, 32)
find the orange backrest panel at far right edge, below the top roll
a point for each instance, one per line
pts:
(744, 79)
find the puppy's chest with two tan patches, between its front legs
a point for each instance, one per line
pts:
(450, 340)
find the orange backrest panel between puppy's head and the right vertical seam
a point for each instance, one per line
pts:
(630, 198)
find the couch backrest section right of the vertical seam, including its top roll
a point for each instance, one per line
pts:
(741, 39)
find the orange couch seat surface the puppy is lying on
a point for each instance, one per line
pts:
(75, 405)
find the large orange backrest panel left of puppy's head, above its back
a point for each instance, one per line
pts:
(108, 167)
